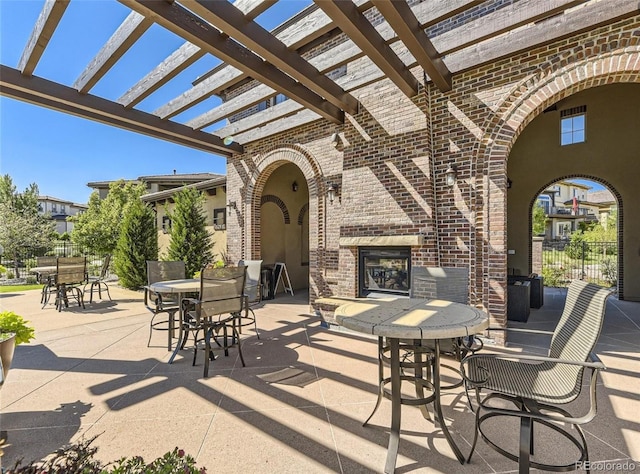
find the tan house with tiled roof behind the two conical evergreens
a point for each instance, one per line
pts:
(215, 207)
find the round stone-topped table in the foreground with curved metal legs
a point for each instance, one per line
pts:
(398, 319)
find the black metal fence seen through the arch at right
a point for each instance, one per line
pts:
(563, 261)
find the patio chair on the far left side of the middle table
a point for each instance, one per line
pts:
(159, 303)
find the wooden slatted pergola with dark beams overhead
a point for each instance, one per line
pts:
(375, 39)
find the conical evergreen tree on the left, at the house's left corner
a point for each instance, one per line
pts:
(137, 243)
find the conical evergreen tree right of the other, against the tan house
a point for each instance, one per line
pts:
(190, 239)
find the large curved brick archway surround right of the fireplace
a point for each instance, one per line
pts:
(618, 62)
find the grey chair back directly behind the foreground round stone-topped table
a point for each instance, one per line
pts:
(446, 283)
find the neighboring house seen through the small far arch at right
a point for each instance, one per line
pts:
(566, 205)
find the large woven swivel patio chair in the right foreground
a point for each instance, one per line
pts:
(538, 386)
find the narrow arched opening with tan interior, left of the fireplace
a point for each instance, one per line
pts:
(284, 223)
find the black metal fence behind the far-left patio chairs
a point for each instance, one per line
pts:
(61, 248)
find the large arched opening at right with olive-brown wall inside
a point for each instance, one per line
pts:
(541, 162)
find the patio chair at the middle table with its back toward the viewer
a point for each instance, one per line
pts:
(217, 311)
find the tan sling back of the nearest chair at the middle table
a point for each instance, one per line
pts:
(221, 290)
